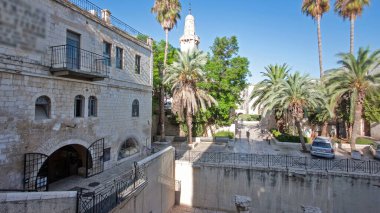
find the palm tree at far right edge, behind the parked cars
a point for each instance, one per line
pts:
(355, 77)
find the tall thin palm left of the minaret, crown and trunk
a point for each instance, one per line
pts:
(167, 14)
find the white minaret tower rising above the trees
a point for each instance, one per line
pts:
(189, 40)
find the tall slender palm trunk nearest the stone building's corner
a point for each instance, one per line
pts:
(162, 91)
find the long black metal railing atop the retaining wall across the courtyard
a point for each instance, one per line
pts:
(281, 161)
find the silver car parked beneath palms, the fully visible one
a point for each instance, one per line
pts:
(322, 147)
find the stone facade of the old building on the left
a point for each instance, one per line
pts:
(25, 57)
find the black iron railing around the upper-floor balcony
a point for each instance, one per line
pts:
(76, 59)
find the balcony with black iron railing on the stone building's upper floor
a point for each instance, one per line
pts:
(72, 62)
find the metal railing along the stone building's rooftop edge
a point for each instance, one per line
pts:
(97, 12)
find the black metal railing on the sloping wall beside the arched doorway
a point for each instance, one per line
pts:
(107, 197)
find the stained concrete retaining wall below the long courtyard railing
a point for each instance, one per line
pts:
(276, 191)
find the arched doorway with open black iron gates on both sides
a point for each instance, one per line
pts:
(72, 159)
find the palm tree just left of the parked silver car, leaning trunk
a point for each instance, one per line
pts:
(295, 94)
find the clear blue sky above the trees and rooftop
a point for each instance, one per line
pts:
(268, 31)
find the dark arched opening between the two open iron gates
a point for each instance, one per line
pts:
(65, 162)
